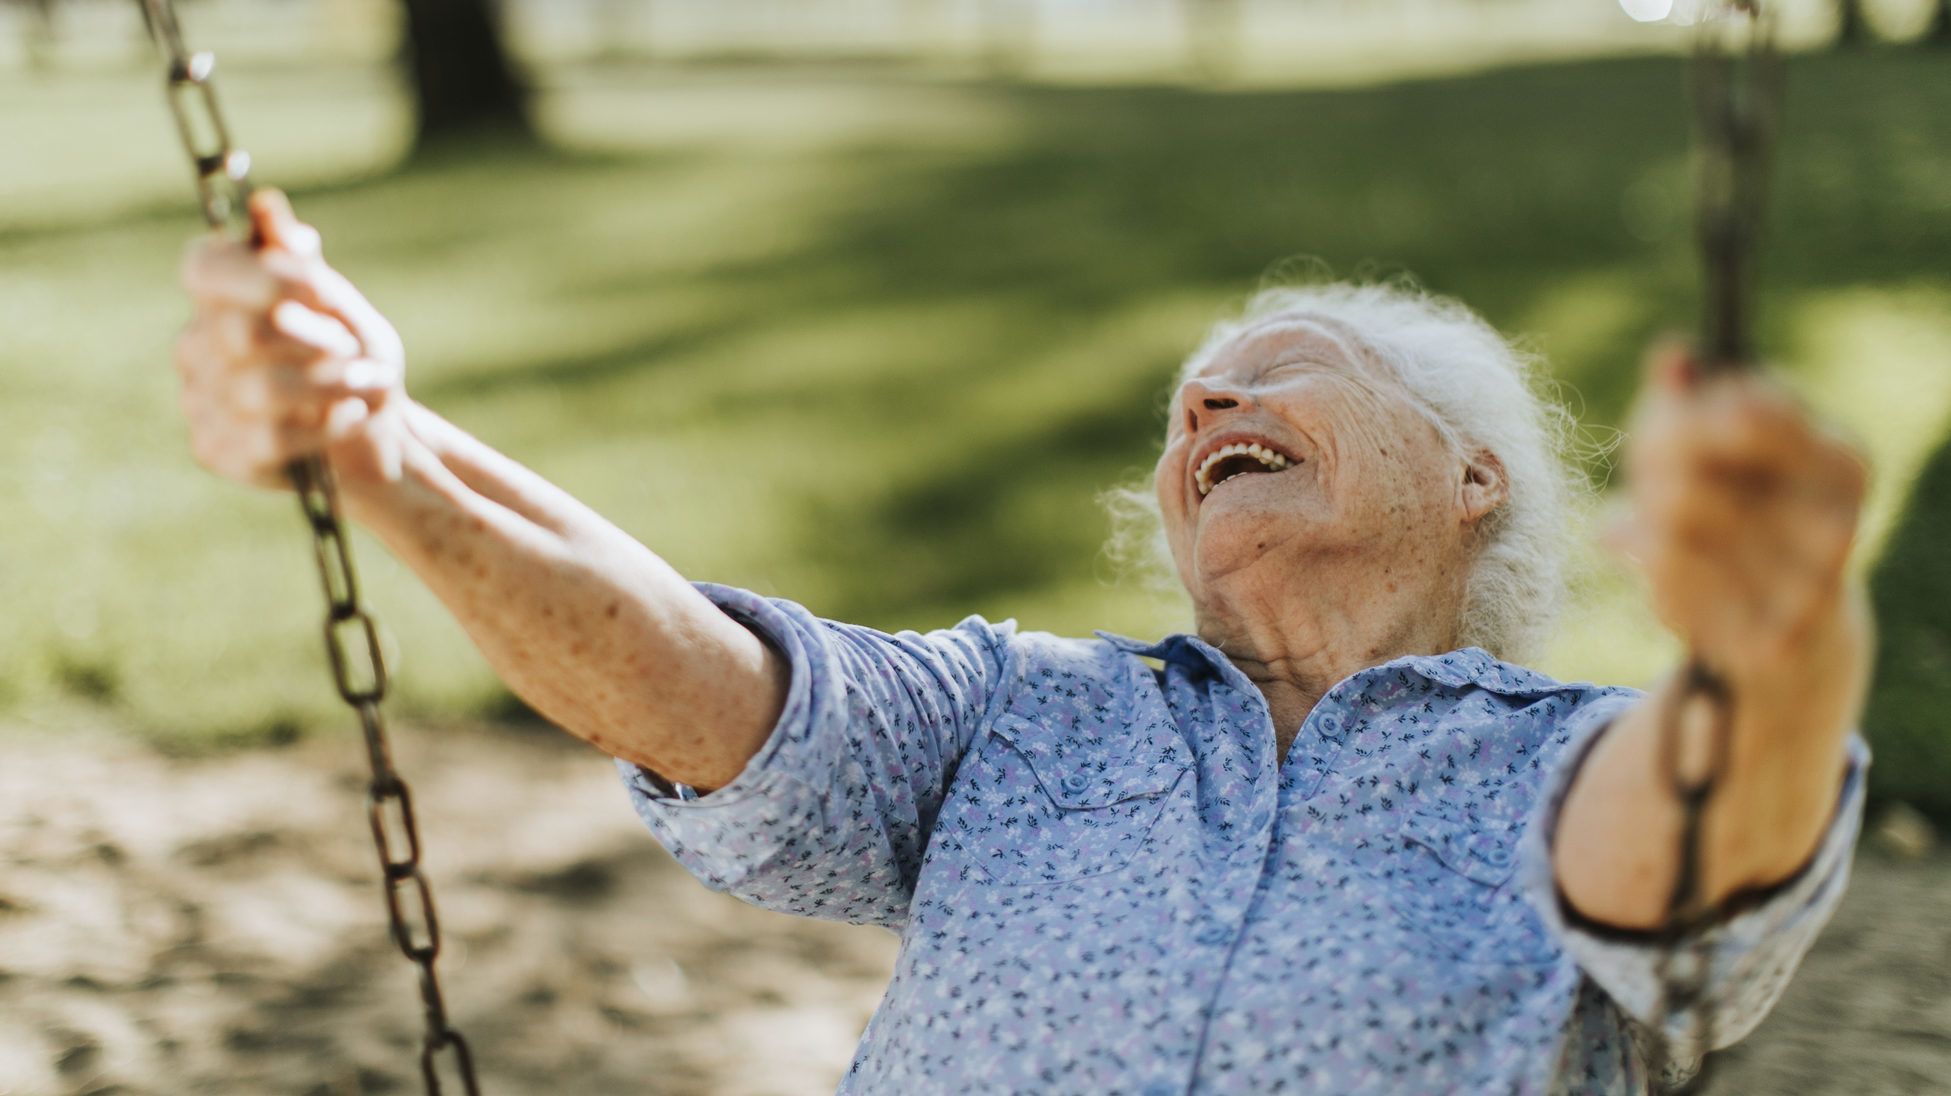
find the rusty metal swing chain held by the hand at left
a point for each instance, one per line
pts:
(352, 635)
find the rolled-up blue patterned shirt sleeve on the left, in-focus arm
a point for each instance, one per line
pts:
(832, 816)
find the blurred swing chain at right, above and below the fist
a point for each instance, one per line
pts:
(1737, 95)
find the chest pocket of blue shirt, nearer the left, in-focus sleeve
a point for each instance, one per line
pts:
(1045, 806)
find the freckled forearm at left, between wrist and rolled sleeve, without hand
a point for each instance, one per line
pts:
(578, 619)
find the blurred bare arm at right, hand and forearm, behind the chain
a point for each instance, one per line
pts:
(1743, 518)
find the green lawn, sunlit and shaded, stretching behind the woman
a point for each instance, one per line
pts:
(875, 340)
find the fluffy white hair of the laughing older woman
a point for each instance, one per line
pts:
(1484, 395)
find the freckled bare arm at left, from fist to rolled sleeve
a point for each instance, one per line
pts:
(286, 360)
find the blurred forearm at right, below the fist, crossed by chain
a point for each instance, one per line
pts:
(1616, 843)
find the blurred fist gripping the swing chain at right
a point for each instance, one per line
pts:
(1743, 514)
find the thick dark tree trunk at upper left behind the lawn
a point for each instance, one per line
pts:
(463, 79)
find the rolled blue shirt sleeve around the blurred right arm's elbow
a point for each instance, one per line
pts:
(1751, 953)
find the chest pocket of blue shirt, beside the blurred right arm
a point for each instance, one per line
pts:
(1453, 882)
